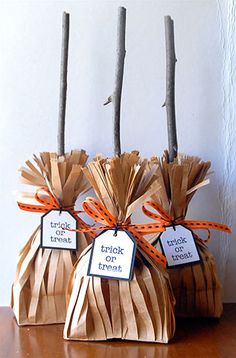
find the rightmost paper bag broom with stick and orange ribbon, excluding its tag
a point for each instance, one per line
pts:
(196, 286)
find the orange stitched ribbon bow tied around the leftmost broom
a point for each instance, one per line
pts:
(49, 202)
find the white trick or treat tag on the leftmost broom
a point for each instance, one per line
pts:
(54, 230)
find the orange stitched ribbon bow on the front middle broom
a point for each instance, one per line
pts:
(101, 215)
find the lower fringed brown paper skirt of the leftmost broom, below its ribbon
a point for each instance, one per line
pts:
(42, 275)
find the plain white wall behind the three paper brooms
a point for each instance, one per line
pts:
(30, 41)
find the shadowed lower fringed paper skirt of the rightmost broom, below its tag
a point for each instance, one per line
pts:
(197, 287)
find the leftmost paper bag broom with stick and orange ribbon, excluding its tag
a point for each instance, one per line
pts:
(42, 274)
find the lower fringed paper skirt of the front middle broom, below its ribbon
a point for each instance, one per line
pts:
(141, 309)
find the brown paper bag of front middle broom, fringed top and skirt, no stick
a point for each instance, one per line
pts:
(141, 309)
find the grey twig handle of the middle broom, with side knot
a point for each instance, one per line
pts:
(115, 98)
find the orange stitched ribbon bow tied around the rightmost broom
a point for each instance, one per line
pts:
(162, 217)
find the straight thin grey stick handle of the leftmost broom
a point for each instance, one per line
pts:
(63, 83)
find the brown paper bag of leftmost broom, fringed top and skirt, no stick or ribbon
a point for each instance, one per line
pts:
(38, 291)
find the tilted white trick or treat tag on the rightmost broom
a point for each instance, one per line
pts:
(179, 246)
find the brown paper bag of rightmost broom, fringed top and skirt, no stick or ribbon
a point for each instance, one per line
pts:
(196, 286)
